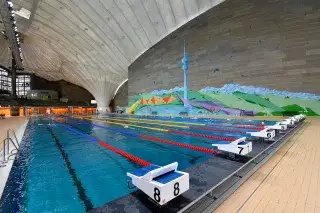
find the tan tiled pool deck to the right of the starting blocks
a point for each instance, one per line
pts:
(288, 182)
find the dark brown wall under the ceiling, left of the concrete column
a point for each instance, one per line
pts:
(65, 89)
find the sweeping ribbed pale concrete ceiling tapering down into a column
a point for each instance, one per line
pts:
(92, 43)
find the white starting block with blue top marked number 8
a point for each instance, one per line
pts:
(161, 184)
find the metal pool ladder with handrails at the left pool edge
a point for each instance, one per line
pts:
(9, 141)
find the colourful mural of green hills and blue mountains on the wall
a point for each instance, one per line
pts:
(231, 99)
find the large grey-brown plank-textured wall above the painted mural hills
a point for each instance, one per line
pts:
(275, 44)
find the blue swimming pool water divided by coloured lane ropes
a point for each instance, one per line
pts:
(62, 167)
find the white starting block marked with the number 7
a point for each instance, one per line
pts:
(239, 146)
